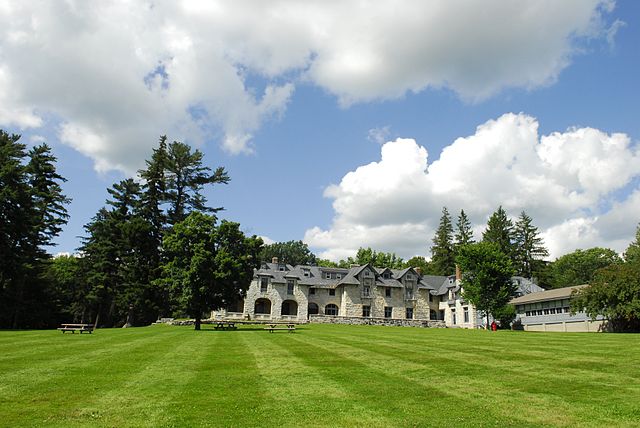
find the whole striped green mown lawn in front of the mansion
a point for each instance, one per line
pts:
(321, 375)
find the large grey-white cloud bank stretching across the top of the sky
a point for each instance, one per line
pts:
(111, 76)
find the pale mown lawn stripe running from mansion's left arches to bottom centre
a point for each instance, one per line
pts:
(301, 393)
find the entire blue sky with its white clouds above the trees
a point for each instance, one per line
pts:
(344, 124)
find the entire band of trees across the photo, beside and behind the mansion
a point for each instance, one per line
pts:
(158, 249)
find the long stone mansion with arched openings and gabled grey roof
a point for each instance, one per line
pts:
(300, 293)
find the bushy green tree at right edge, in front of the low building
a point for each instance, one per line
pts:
(614, 293)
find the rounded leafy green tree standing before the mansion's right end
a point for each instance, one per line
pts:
(486, 277)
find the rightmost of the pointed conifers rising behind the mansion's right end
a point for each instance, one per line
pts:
(529, 247)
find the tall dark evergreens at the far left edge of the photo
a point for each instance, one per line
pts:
(32, 212)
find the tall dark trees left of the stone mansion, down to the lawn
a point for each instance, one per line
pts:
(155, 249)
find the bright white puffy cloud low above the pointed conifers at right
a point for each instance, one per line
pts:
(566, 181)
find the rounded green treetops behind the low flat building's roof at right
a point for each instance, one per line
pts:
(577, 268)
